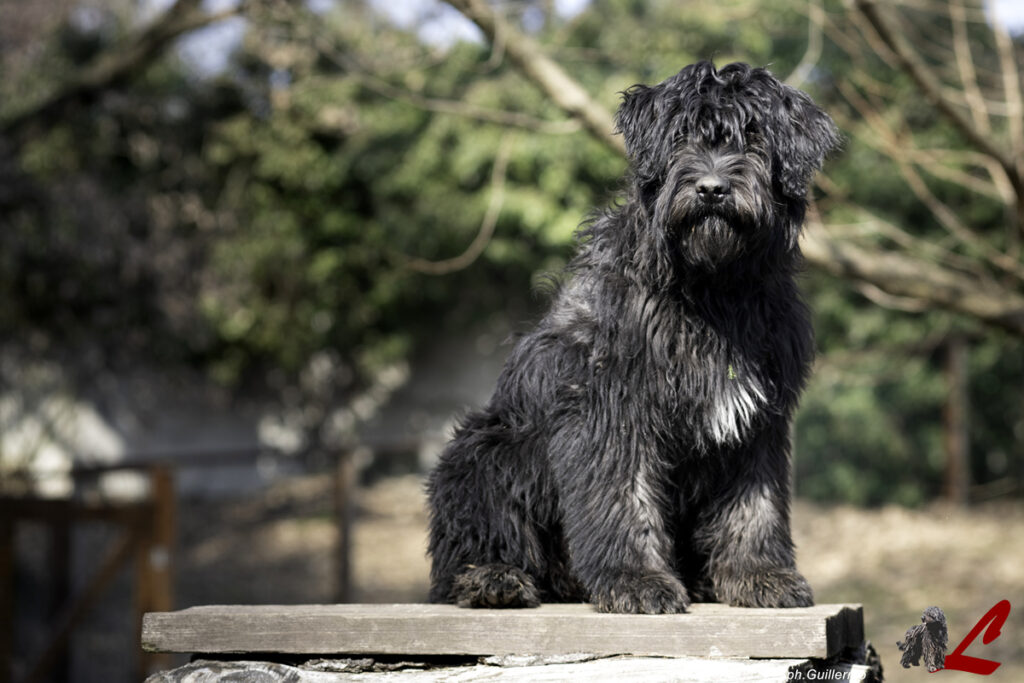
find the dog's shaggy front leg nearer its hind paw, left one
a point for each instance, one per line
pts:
(613, 504)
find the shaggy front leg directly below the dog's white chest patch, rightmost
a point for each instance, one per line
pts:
(746, 531)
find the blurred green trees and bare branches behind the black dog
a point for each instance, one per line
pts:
(362, 178)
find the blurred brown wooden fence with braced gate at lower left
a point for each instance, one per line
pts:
(148, 532)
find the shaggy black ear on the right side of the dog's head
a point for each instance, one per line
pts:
(801, 136)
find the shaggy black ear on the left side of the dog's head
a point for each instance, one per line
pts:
(637, 120)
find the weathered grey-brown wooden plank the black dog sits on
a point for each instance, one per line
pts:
(707, 631)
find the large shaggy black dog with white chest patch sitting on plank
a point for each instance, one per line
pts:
(638, 439)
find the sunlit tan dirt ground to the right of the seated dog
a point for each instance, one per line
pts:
(898, 562)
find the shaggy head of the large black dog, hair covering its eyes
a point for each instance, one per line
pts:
(723, 158)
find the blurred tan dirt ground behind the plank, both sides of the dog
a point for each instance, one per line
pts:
(894, 562)
